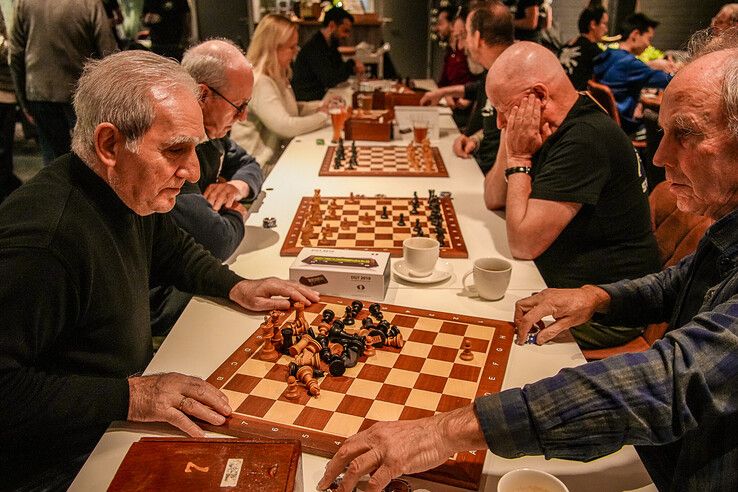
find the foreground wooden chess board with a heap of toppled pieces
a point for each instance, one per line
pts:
(424, 377)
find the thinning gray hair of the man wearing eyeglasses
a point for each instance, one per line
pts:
(208, 61)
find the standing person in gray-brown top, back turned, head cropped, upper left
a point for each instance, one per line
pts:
(49, 44)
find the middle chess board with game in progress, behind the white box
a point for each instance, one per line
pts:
(380, 234)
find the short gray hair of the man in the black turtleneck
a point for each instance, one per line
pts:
(121, 89)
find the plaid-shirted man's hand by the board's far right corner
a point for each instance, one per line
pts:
(569, 307)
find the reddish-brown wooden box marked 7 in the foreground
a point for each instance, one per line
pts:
(175, 463)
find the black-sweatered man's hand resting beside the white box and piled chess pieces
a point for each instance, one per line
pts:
(256, 295)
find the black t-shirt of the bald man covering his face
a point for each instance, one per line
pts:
(589, 160)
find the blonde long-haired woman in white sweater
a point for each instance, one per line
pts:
(274, 114)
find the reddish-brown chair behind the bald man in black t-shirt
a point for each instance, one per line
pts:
(677, 234)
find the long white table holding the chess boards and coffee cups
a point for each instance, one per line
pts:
(209, 332)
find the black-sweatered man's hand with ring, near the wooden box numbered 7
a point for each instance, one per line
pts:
(174, 398)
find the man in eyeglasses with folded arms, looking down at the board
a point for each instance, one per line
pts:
(211, 210)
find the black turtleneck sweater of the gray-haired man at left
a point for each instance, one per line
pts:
(76, 265)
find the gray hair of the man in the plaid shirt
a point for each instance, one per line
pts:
(704, 42)
